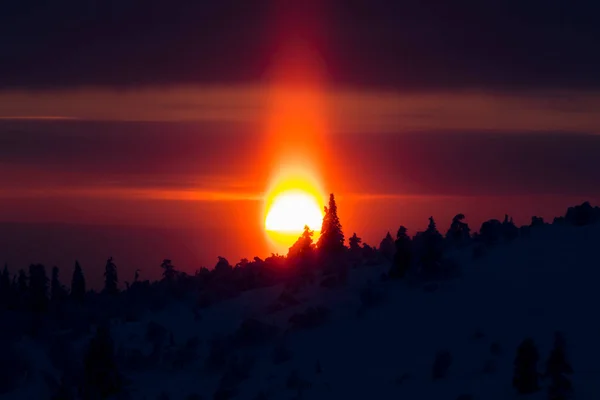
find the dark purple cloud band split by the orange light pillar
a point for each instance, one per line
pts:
(180, 156)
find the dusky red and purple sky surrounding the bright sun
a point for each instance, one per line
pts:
(179, 114)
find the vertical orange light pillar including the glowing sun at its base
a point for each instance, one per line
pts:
(296, 127)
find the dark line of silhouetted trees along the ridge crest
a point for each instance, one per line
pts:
(422, 253)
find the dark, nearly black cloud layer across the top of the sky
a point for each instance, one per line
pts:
(401, 44)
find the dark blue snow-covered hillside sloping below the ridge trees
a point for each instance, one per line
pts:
(381, 344)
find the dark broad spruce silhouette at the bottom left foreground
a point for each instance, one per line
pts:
(101, 377)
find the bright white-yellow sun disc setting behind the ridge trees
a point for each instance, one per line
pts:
(291, 210)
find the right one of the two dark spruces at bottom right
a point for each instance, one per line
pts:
(557, 367)
